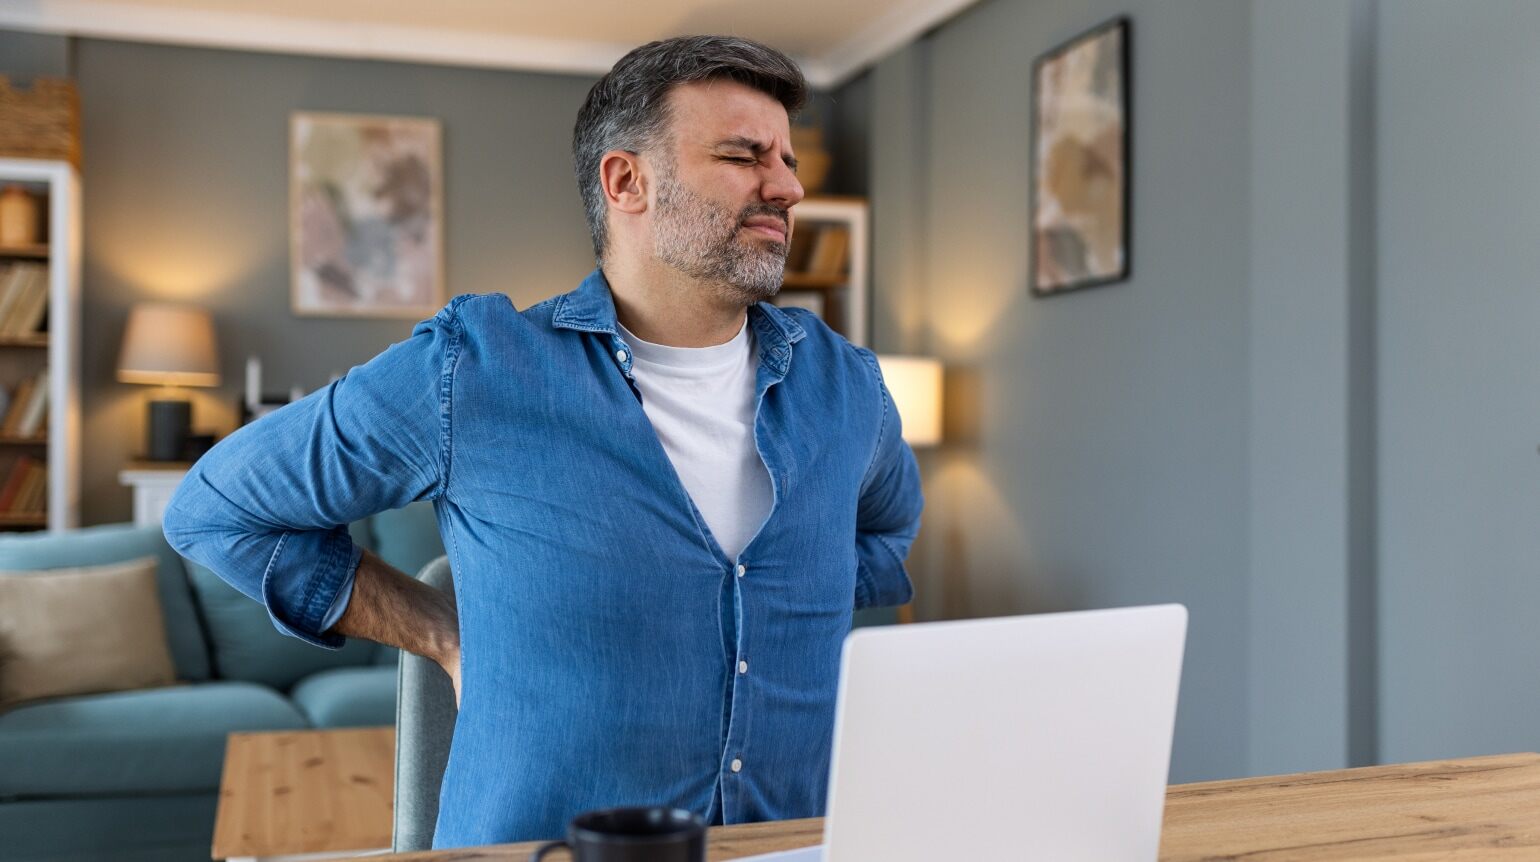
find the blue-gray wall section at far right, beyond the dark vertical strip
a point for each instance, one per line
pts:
(1459, 378)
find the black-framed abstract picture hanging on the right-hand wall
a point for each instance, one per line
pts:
(1080, 162)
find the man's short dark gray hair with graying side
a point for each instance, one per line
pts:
(629, 107)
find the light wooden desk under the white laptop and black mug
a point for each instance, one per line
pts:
(1475, 809)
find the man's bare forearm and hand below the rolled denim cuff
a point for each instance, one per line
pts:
(395, 609)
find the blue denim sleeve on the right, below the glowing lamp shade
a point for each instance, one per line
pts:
(888, 515)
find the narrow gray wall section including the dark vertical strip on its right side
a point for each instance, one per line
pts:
(1311, 389)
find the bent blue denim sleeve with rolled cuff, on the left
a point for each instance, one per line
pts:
(269, 507)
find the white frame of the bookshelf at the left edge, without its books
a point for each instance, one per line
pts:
(61, 187)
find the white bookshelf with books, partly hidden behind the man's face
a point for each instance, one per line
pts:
(826, 269)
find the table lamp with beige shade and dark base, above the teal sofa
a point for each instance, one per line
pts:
(169, 346)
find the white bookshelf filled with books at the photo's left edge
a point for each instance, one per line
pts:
(41, 355)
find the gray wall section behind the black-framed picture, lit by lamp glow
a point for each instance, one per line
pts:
(1110, 461)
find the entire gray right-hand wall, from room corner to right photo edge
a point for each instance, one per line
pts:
(1310, 415)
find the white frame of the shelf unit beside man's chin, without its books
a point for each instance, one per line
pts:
(845, 296)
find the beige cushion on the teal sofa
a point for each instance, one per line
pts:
(81, 630)
